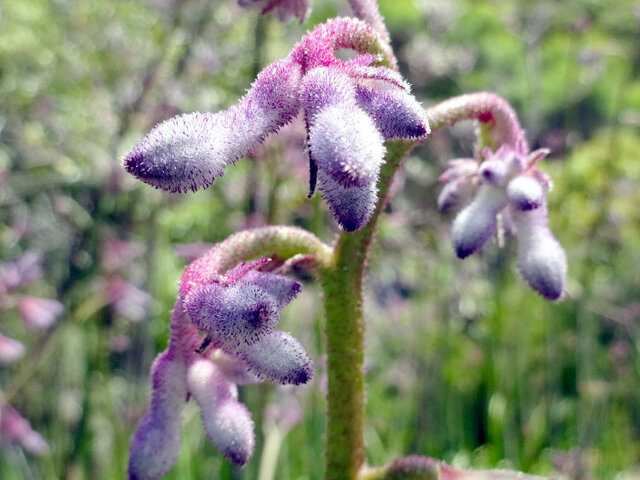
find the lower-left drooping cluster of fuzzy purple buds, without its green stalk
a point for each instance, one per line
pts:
(237, 312)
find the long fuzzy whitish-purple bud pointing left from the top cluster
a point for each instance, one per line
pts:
(190, 151)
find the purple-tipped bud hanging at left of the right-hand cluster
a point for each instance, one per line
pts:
(475, 224)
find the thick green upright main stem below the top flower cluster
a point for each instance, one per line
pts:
(342, 285)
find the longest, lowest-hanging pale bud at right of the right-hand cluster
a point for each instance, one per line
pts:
(541, 259)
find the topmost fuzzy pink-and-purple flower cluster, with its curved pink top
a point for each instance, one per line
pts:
(351, 108)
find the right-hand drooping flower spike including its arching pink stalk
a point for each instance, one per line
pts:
(508, 183)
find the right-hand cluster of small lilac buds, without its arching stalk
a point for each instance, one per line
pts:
(506, 183)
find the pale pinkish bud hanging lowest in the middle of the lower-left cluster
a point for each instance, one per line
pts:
(226, 421)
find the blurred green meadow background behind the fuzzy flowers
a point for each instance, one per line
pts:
(465, 363)
